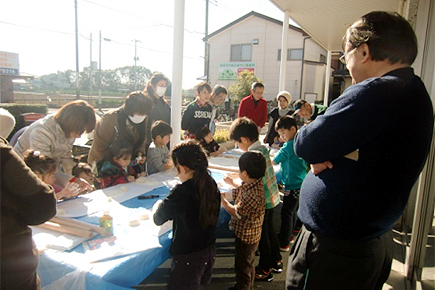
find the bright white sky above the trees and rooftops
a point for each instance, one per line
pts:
(43, 32)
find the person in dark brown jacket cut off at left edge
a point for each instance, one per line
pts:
(25, 200)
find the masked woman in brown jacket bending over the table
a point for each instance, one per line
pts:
(128, 122)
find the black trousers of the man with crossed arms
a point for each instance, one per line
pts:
(336, 264)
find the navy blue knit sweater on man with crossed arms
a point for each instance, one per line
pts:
(389, 119)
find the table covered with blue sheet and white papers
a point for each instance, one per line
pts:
(122, 261)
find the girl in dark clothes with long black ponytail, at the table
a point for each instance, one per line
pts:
(194, 207)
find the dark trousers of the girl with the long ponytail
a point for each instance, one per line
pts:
(189, 271)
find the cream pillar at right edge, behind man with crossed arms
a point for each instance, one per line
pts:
(424, 66)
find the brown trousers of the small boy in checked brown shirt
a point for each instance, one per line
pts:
(244, 265)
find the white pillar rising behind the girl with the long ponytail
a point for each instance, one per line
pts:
(177, 71)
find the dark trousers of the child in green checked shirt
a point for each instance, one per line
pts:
(269, 245)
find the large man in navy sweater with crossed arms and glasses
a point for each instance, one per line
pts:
(366, 151)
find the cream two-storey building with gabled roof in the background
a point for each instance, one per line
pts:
(253, 42)
